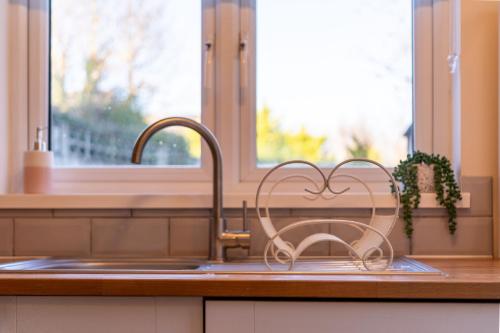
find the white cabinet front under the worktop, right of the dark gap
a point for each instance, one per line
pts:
(350, 317)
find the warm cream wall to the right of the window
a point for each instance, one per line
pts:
(480, 97)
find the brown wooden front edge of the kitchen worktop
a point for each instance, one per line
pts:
(241, 288)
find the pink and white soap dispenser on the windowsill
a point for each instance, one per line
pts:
(38, 166)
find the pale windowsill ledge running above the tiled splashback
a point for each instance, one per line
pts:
(158, 201)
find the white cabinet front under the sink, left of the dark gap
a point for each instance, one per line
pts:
(101, 314)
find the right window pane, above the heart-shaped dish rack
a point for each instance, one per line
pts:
(334, 80)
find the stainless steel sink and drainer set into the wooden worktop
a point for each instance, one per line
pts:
(400, 266)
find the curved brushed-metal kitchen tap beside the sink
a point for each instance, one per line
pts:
(220, 238)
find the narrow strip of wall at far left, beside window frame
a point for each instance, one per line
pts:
(3, 96)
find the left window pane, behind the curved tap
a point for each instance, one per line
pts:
(116, 67)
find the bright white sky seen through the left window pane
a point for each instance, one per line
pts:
(169, 61)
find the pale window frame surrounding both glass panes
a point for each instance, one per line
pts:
(226, 23)
